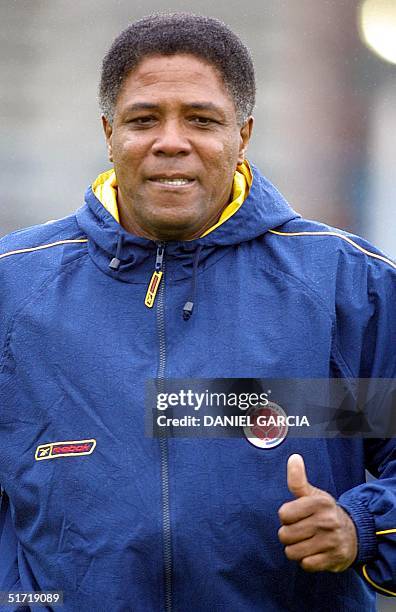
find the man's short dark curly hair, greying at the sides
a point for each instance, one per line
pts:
(168, 34)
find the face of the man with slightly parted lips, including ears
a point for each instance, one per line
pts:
(175, 144)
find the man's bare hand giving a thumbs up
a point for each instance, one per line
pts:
(315, 531)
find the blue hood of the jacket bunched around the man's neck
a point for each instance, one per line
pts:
(263, 209)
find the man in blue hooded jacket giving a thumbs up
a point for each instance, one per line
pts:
(186, 262)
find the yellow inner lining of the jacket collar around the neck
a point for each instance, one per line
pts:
(105, 189)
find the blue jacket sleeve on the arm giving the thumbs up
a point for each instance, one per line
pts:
(366, 343)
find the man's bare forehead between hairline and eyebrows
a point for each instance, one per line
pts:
(164, 75)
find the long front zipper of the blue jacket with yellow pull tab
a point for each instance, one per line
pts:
(164, 459)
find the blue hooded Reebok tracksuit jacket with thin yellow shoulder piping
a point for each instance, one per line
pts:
(142, 524)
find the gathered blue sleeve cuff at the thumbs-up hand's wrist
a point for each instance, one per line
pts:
(365, 529)
